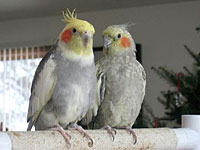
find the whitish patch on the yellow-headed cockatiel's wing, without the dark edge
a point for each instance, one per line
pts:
(43, 89)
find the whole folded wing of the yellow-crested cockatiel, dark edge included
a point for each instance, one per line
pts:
(42, 87)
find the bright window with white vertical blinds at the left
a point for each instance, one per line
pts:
(17, 68)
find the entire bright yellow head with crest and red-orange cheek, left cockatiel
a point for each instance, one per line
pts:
(77, 36)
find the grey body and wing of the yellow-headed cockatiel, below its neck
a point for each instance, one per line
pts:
(62, 92)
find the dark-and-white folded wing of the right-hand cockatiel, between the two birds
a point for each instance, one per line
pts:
(101, 80)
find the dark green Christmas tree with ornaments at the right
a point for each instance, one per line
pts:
(185, 98)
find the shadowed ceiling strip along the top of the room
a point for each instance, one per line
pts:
(17, 9)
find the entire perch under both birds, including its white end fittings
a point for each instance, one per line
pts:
(186, 138)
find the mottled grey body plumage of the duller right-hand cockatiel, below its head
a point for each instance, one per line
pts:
(125, 85)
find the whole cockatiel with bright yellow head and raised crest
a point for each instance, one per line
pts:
(64, 85)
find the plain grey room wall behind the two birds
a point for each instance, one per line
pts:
(161, 29)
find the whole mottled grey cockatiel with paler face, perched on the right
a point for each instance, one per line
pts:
(121, 83)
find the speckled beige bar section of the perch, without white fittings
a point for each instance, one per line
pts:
(151, 139)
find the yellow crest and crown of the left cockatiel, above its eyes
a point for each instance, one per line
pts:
(71, 19)
